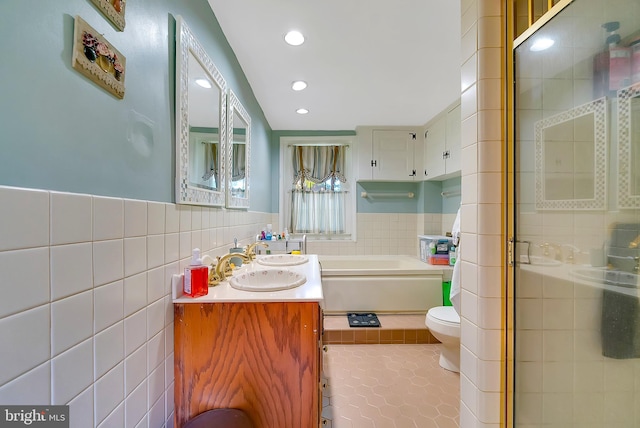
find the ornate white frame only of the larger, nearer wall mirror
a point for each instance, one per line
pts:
(185, 193)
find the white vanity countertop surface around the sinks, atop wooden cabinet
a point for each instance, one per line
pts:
(310, 291)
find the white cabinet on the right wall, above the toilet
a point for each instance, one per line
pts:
(442, 146)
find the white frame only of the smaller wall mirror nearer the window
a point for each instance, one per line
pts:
(236, 107)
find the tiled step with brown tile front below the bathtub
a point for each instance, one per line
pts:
(394, 329)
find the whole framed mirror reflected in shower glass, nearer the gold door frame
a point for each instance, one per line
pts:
(571, 159)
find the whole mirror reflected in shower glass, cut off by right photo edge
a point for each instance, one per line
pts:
(629, 147)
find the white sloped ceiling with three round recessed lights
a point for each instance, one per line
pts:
(367, 62)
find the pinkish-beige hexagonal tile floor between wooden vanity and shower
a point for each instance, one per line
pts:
(388, 386)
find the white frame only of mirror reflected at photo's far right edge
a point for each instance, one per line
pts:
(625, 173)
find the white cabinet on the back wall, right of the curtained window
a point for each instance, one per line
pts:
(389, 154)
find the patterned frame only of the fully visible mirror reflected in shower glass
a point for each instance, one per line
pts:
(599, 110)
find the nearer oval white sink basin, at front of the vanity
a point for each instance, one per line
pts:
(267, 280)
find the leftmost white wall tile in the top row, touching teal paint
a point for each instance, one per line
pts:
(25, 218)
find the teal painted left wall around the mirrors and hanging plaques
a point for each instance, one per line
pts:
(60, 131)
